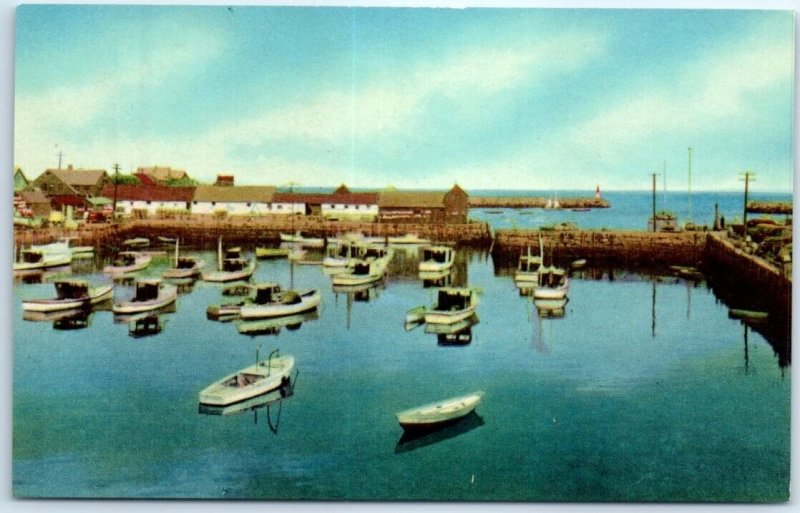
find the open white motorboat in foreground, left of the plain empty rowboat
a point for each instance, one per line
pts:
(259, 378)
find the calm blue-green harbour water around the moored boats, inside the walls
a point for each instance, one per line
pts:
(643, 390)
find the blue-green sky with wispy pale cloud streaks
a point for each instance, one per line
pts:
(410, 97)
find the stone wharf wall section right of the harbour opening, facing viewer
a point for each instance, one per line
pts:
(620, 247)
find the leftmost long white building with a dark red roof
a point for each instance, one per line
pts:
(150, 200)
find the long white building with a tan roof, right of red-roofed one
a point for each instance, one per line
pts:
(241, 199)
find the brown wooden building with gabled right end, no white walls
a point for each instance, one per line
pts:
(424, 206)
